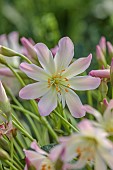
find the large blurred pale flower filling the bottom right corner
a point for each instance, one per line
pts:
(90, 145)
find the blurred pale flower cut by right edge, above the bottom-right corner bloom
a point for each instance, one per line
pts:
(105, 121)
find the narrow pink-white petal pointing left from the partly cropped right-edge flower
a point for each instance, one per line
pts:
(94, 112)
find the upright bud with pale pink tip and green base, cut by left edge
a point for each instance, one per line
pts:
(4, 102)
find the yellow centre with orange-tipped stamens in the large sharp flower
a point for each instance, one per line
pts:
(59, 82)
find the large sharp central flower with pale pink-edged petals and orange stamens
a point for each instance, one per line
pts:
(57, 80)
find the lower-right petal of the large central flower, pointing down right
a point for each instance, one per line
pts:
(74, 104)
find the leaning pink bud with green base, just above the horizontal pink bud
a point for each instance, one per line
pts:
(100, 56)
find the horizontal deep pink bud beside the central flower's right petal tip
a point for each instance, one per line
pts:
(100, 73)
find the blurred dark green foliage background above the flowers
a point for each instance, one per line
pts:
(84, 21)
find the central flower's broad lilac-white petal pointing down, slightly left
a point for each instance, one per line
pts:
(48, 103)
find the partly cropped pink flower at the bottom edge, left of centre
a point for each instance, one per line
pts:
(37, 159)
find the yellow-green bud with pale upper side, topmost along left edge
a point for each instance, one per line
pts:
(7, 51)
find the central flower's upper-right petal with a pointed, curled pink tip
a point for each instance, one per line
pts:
(79, 66)
